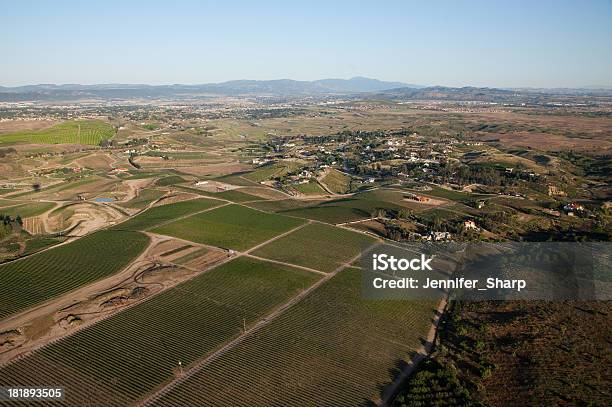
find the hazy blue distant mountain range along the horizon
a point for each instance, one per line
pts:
(355, 87)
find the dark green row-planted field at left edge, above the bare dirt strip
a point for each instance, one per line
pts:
(45, 275)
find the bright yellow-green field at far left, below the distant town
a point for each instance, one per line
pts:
(90, 132)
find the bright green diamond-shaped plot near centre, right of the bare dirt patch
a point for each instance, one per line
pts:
(232, 226)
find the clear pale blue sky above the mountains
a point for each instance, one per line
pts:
(454, 43)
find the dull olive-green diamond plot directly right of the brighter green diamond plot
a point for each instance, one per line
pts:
(321, 247)
